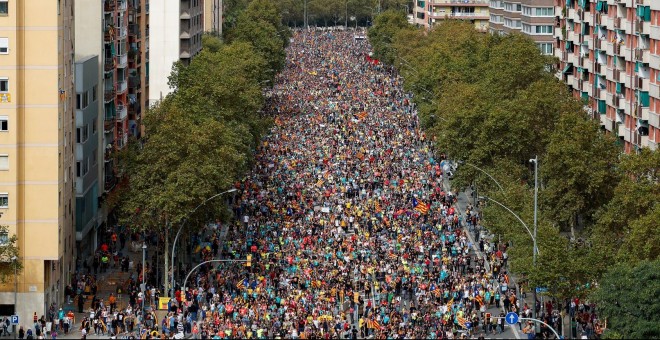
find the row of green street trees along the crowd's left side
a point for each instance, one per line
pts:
(201, 138)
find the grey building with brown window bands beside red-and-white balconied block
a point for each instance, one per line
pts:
(535, 18)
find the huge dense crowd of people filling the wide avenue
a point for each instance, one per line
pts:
(348, 219)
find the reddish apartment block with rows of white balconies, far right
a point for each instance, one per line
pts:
(609, 55)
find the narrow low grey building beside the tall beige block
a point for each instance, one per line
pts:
(88, 141)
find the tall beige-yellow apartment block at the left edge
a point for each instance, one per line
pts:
(37, 149)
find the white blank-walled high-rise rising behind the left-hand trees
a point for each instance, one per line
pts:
(176, 35)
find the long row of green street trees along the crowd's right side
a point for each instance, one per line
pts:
(492, 101)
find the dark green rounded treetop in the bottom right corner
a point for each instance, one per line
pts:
(627, 297)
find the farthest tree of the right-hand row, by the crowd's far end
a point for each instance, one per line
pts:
(381, 34)
